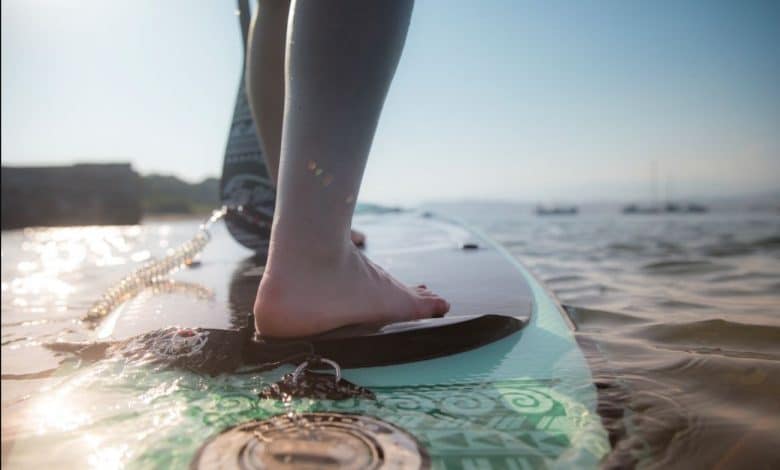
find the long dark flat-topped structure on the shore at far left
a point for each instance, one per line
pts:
(84, 194)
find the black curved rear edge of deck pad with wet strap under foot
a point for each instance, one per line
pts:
(225, 351)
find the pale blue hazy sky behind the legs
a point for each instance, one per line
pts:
(502, 99)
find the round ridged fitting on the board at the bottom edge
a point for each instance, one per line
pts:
(312, 440)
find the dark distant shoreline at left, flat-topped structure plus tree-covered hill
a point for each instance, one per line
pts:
(99, 194)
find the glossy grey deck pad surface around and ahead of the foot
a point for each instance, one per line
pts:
(220, 290)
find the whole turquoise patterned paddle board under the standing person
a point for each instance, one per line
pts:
(521, 396)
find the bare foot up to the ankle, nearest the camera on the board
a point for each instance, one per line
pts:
(309, 295)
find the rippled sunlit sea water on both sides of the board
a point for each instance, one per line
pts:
(679, 316)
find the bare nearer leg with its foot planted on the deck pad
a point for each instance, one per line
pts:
(341, 56)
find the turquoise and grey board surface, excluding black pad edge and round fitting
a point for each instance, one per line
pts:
(525, 401)
